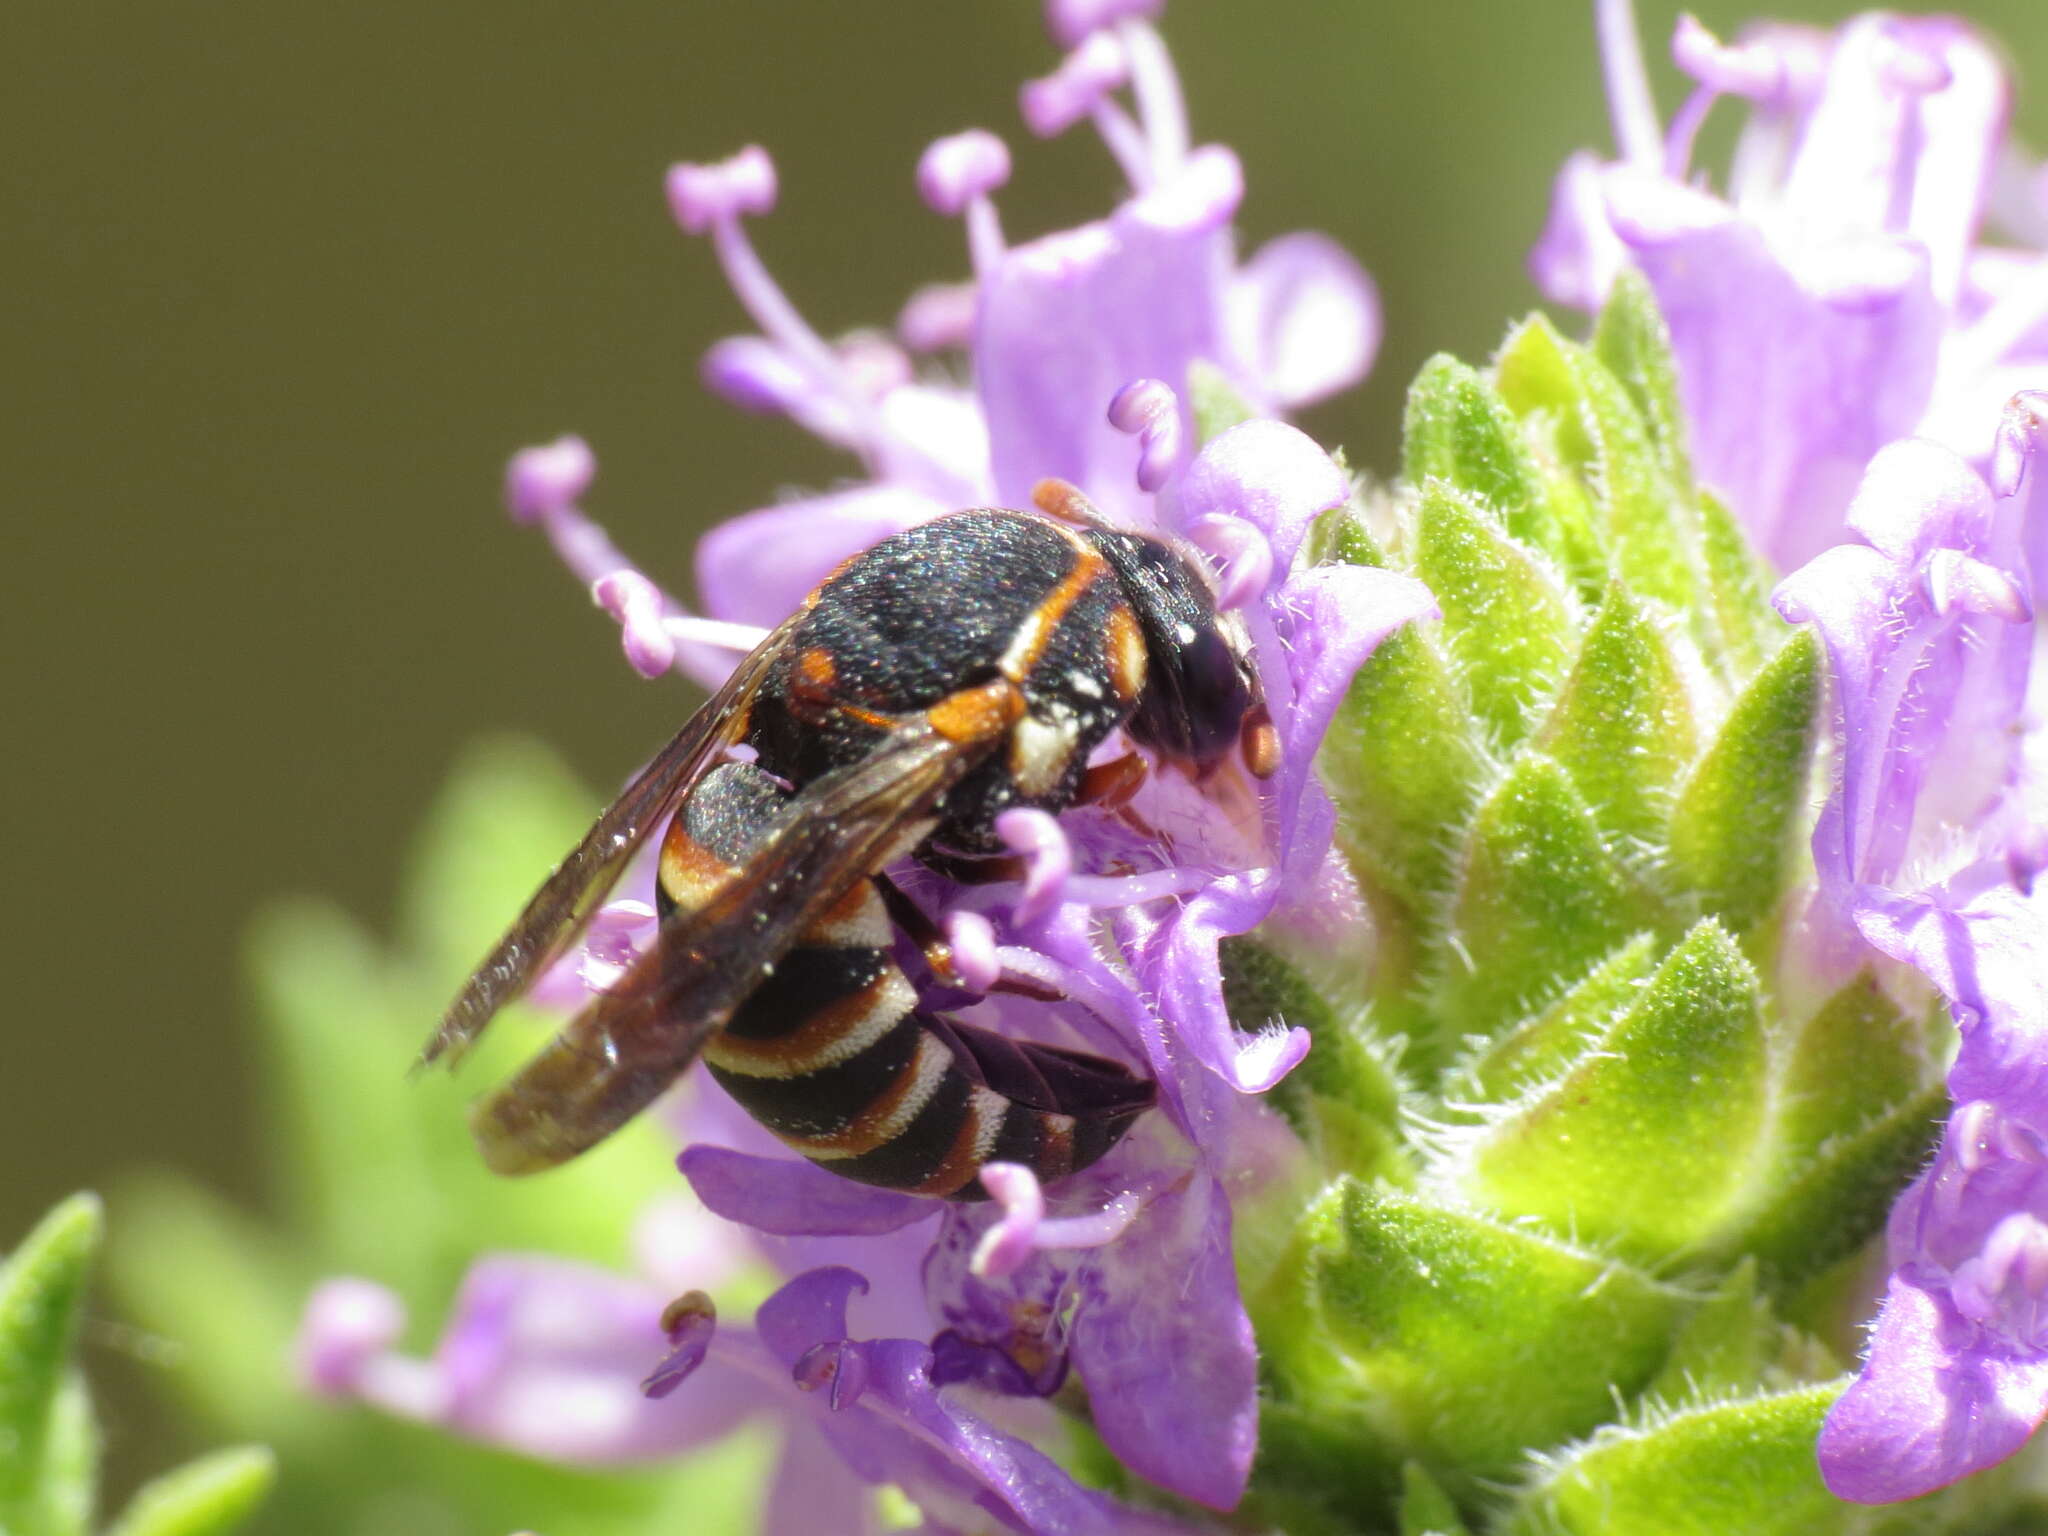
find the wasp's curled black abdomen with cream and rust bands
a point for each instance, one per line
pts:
(837, 1060)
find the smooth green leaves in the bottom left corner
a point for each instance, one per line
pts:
(50, 1441)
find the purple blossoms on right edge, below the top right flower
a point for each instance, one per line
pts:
(1926, 853)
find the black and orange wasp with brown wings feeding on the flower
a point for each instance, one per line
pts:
(947, 675)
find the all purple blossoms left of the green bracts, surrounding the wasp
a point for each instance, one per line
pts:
(1142, 361)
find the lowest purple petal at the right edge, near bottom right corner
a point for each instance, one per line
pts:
(1932, 1404)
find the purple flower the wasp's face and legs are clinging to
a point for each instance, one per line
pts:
(1129, 1277)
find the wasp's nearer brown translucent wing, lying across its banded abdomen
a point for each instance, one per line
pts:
(630, 1043)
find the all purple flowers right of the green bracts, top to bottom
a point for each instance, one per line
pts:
(1863, 378)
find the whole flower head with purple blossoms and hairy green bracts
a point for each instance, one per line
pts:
(1656, 914)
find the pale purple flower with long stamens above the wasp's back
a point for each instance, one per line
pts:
(1054, 329)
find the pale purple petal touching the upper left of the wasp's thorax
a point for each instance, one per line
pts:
(759, 568)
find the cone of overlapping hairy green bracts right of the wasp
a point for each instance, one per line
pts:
(1594, 1177)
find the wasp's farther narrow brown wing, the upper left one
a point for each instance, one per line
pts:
(566, 902)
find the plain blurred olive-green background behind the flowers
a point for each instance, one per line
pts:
(284, 284)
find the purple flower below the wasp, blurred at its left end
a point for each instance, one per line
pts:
(542, 1357)
